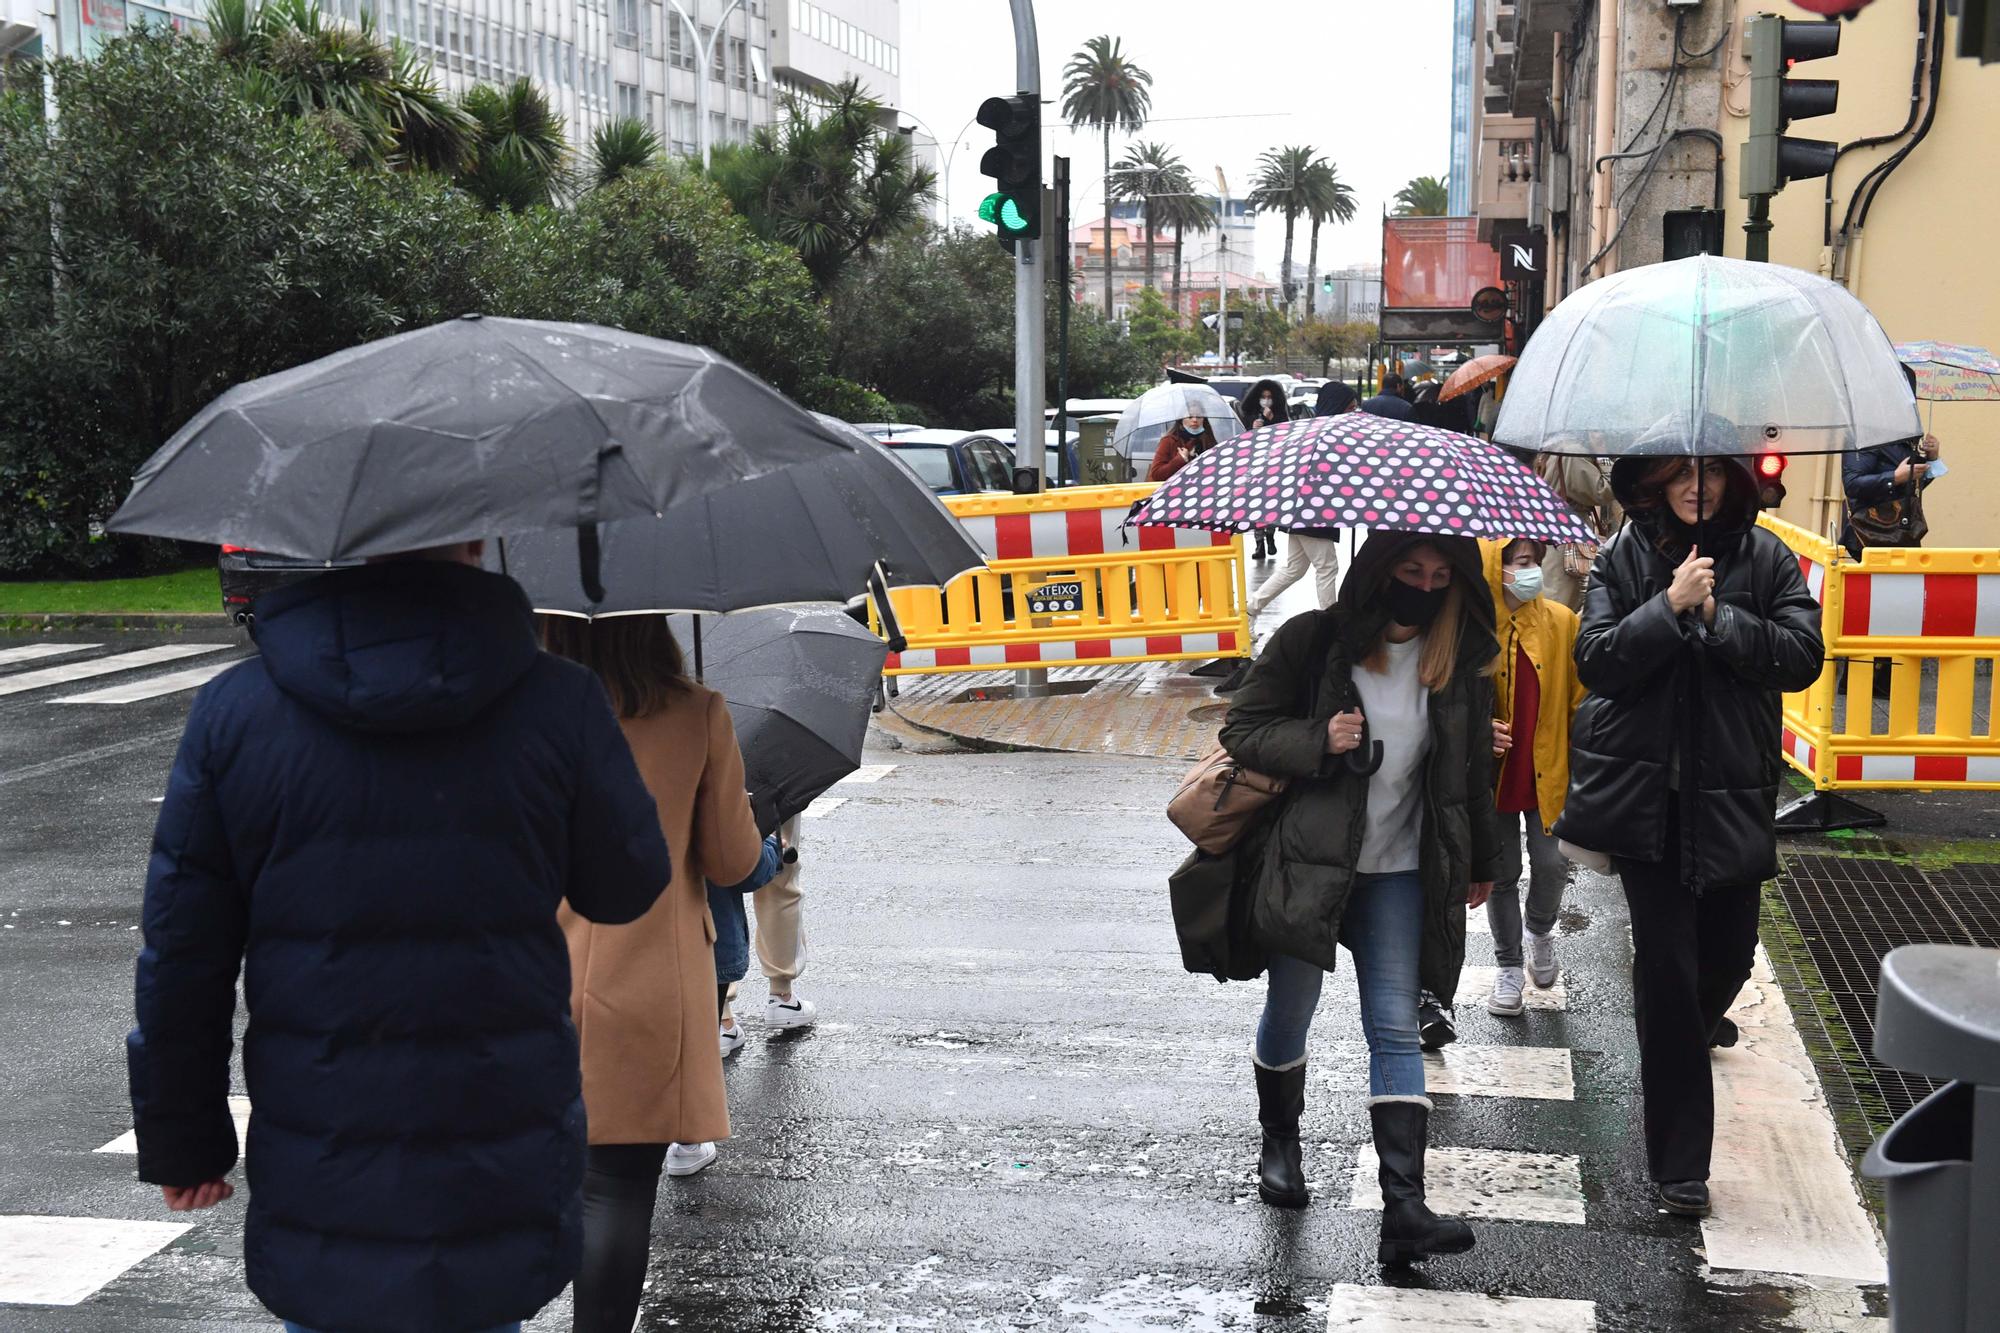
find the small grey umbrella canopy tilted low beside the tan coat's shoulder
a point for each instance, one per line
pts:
(801, 686)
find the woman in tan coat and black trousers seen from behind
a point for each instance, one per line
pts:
(645, 994)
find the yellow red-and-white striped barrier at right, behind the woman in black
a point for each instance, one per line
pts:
(1913, 609)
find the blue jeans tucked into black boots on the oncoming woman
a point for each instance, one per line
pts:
(1385, 932)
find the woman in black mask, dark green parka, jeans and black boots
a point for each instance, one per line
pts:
(1379, 714)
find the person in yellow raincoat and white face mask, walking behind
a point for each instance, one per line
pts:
(1535, 696)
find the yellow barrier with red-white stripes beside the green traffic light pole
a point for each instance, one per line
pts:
(1069, 583)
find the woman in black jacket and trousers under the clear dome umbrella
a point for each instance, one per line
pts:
(1675, 762)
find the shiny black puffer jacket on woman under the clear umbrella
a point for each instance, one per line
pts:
(1673, 696)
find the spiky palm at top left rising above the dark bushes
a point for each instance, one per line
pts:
(377, 101)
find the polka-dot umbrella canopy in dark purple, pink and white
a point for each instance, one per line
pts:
(1363, 471)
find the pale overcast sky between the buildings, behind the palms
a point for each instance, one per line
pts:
(1363, 81)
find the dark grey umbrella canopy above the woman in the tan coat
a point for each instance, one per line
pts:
(811, 533)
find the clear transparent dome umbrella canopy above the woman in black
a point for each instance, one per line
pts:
(1789, 359)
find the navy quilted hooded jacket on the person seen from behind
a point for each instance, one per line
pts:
(375, 822)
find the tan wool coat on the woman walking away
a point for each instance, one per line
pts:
(645, 994)
